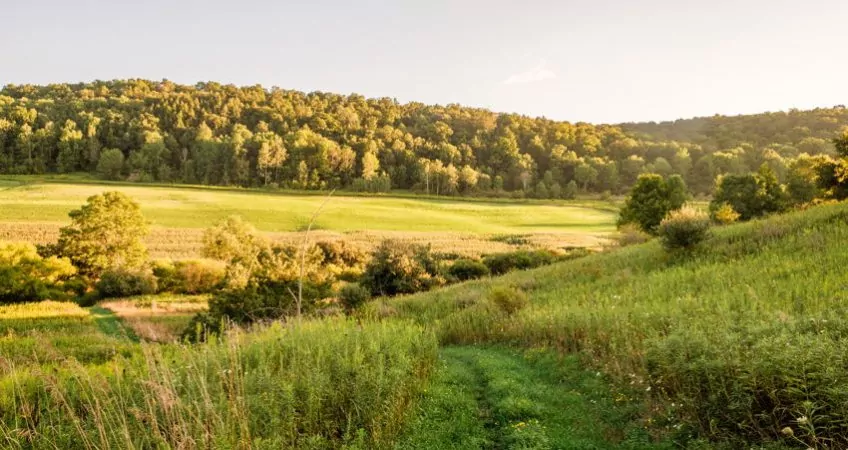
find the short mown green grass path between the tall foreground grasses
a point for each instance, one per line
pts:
(495, 398)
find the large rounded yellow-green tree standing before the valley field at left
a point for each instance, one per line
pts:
(105, 234)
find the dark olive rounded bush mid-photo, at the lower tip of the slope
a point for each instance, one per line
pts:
(400, 268)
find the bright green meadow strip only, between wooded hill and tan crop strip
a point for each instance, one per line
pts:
(181, 207)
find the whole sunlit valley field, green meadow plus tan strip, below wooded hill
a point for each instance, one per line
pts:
(34, 212)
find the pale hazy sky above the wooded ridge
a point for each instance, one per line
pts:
(588, 60)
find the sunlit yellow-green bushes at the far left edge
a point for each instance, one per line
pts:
(26, 276)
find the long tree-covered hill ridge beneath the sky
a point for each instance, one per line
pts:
(252, 136)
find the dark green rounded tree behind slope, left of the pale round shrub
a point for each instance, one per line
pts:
(651, 199)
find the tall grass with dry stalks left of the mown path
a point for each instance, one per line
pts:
(321, 384)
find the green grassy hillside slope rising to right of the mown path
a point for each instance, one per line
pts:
(742, 341)
